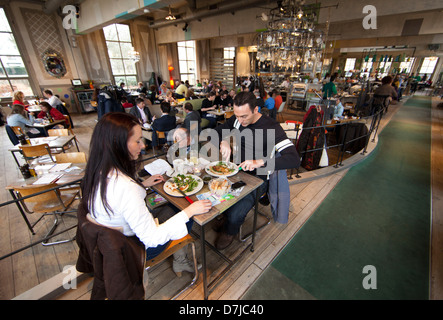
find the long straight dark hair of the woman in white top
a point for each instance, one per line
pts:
(108, 151)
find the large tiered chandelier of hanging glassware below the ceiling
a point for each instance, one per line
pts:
(291, 40)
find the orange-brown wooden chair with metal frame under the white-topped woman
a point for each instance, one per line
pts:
(172, 248)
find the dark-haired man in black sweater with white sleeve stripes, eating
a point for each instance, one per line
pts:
(247, 118)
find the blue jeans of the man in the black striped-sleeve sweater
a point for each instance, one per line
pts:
(236, 215)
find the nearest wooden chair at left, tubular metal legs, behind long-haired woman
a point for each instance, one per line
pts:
(52, 202)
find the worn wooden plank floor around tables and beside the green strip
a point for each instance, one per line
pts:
(34, 266)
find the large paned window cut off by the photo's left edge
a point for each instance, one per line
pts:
(13, 74)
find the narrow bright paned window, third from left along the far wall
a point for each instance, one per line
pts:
(187, 60)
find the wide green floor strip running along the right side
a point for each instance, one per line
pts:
(378, 217)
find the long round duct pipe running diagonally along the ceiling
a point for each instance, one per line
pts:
(212, 11)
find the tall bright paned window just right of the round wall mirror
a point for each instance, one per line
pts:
(118, 41)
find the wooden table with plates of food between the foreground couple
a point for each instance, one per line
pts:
(252, 185)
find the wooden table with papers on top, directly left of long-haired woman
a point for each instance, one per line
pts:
(68, 178)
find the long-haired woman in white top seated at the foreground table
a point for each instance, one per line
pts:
(116, 197)
